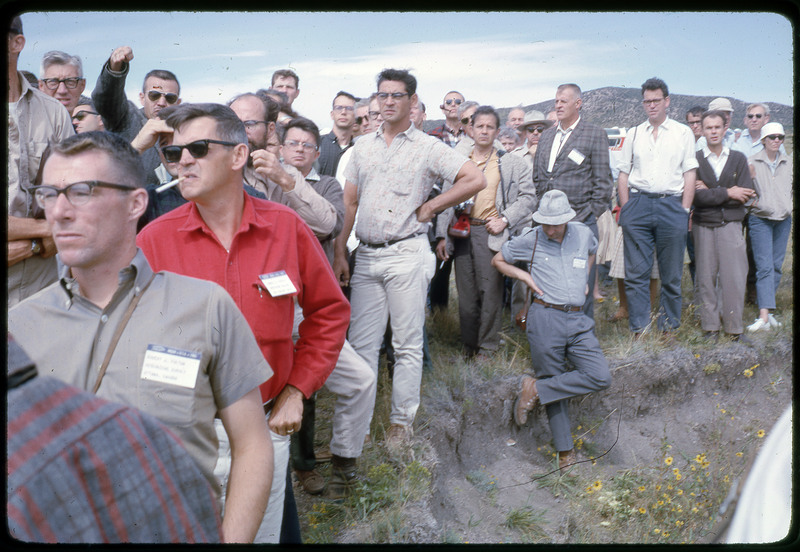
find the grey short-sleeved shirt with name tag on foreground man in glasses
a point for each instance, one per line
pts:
(189, 322)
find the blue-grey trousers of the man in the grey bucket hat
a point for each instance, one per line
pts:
(558, 337)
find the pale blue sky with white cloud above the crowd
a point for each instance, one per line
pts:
(497, 58)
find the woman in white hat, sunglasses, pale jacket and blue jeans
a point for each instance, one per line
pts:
(770, 220)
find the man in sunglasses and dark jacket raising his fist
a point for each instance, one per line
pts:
(159, 90)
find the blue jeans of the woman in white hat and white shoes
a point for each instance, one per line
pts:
(769, 239)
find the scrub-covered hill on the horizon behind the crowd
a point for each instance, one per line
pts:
(622, 107)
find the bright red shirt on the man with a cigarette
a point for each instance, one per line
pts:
(271, 238)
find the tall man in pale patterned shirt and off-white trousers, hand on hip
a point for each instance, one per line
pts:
(389, 177)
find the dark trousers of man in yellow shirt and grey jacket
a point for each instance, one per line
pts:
(480, 292)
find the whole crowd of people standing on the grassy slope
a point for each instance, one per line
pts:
(218, 264)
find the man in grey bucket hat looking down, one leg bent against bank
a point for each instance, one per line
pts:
(561, 254)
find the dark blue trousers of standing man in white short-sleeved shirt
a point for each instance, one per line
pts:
(650, 224)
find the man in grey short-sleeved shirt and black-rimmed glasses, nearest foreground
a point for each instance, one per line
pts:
(174, 347)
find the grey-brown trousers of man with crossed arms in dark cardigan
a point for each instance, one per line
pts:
(720, 256)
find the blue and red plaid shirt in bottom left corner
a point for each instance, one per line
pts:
(58, 433)
